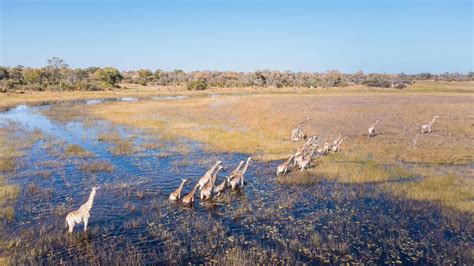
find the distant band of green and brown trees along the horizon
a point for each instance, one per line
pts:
(57, 75)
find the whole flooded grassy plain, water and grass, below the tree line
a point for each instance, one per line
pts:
(397, 197)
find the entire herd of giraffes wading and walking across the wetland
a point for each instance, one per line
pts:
(235, 180)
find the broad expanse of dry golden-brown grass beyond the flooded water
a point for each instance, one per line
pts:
(260, 124)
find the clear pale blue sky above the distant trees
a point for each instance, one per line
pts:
(373, 36)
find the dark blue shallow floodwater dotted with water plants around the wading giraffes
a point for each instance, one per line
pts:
(133, 221)
